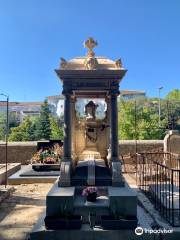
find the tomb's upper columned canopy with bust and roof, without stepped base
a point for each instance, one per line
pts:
(90, 142)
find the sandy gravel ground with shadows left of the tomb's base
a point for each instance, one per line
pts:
(20, 211)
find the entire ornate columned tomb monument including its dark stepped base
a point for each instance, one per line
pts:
(91, 156)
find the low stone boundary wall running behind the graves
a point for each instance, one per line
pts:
(22, 151)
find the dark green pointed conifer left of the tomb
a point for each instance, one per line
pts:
(43, 128)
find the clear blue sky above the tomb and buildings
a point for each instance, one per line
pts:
(34, 34)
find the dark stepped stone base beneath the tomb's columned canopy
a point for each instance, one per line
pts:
(121, 199)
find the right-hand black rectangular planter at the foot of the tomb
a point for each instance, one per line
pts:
(117, 220)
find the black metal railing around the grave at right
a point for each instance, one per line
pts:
(158, 176)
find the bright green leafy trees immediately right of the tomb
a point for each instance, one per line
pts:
(139, 120)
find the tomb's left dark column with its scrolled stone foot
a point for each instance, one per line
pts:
(65, 168)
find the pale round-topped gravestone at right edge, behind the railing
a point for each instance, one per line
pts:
(172, 142)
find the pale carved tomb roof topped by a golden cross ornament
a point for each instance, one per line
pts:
(90, 61)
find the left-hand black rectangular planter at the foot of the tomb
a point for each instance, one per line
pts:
(64, 220)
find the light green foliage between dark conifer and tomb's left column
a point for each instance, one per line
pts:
(56, 131)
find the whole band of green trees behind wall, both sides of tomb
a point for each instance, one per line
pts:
(136, 121)
